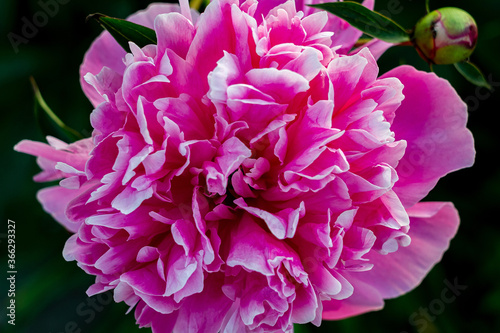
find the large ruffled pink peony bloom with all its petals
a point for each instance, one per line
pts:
(247, 173)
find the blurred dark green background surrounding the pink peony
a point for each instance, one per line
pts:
(50, 293)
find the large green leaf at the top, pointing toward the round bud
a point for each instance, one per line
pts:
(368, 21)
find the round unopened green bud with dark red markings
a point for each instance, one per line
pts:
(445, 36)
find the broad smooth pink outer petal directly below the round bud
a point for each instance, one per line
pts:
(432, 119)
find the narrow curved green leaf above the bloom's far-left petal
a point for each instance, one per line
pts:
(49, 122)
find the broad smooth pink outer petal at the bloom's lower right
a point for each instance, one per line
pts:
(432, 226)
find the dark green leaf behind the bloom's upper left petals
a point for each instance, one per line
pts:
(124, 31)
